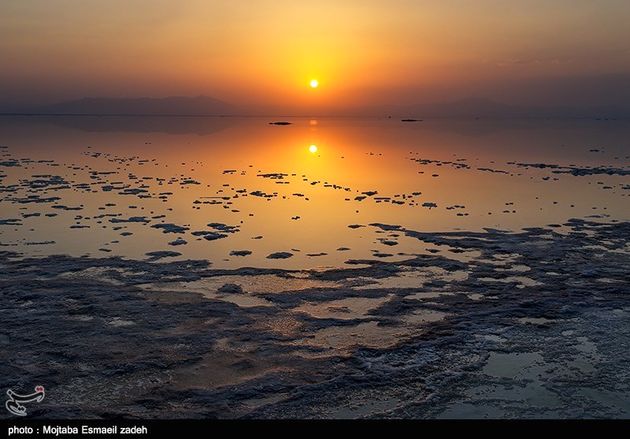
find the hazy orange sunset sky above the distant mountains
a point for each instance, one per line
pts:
(364, 52)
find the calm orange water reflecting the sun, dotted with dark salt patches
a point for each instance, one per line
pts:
(128, 186)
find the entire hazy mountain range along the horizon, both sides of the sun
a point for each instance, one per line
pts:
(207, 106)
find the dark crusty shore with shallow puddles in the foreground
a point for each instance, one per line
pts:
(528, 324)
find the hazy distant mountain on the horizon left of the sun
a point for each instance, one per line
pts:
(174, 105)
